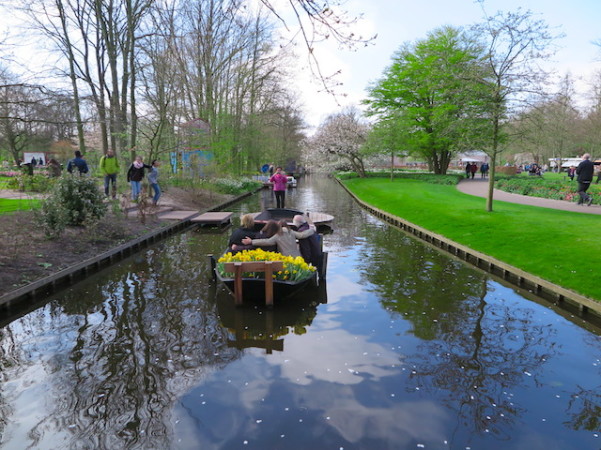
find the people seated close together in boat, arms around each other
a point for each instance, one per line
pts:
(280, 237)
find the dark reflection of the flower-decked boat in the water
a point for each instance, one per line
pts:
(254, 327)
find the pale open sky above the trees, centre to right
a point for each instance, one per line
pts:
(400, 21)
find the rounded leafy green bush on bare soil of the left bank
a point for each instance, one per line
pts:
(73, 200)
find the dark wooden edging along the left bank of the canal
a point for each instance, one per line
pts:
(70, 275)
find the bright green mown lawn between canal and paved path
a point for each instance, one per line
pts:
(560, 246)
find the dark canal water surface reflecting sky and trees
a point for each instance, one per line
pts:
(403, 348)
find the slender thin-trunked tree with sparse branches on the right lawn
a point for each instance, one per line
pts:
(515, 44)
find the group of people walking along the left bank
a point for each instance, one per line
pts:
(109, 168)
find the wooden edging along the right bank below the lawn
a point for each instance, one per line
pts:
(508, 273)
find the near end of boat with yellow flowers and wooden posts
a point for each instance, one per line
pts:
(291, 274)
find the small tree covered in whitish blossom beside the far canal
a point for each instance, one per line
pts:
(342, 135)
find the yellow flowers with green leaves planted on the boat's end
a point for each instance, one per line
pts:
(295, 269)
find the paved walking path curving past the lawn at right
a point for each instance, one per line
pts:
(479, 188)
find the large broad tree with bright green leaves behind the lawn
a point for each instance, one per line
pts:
(432, 91)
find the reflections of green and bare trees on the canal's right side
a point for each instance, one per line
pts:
(475, 350)
